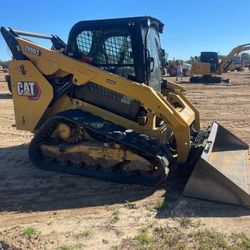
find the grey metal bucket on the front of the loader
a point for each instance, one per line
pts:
(222, 173)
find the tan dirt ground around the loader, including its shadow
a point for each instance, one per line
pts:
(46, 210)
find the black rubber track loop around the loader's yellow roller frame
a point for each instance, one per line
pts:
(141, 144)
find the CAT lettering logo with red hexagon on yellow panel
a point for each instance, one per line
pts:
(29, 89)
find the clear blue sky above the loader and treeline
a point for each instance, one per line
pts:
(191, 26)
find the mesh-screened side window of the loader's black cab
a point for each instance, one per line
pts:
(110, 50)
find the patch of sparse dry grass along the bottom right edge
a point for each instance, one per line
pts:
(186, 237)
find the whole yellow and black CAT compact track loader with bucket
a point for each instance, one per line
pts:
(98, 107)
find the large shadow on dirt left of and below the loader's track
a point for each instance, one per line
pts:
(24, 188)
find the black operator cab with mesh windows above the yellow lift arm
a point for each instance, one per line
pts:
(129, 47)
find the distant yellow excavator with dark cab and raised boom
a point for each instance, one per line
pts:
(209, 68)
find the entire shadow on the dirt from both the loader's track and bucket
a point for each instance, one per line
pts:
(24, 188)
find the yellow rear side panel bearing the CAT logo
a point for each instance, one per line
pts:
(31, 92)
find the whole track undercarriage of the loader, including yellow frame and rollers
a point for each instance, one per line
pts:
(78, 142)
